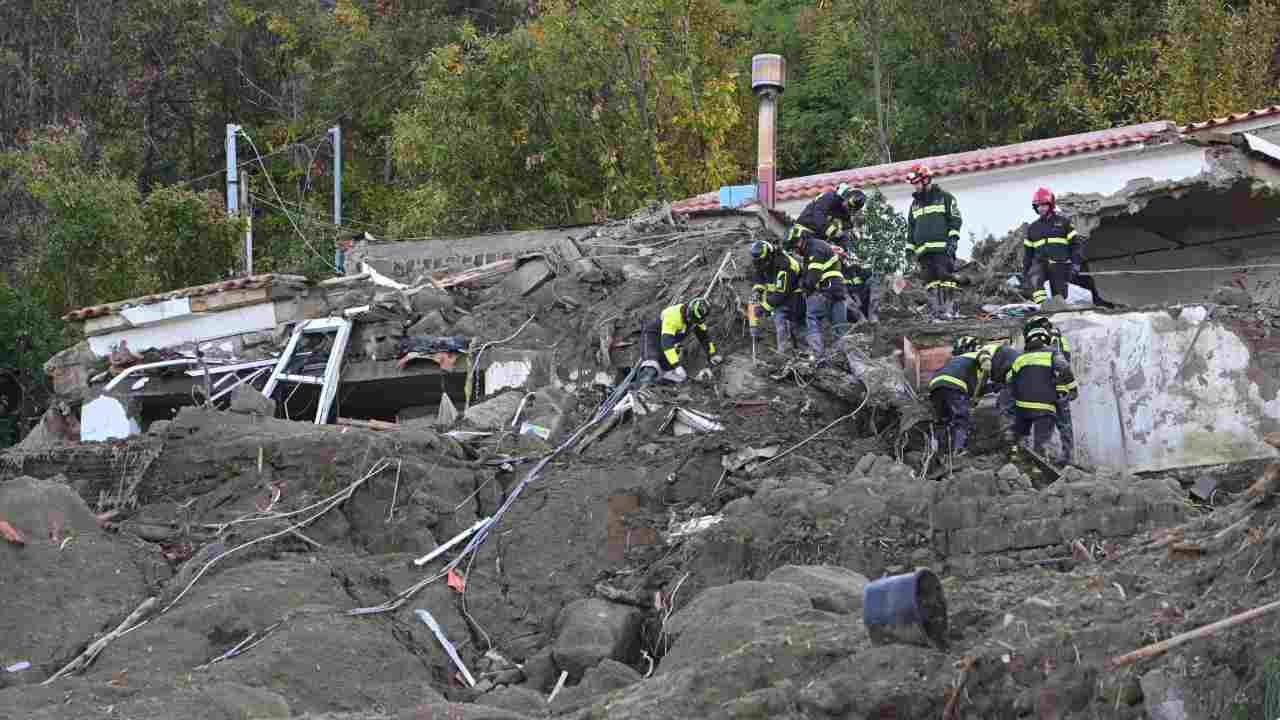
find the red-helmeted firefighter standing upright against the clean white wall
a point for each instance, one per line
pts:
(934, 236)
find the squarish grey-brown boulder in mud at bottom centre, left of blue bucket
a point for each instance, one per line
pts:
(591, 631)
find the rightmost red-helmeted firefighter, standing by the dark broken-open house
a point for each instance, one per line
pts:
(1053, 249)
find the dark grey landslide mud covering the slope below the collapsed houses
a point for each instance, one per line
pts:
(656, 573)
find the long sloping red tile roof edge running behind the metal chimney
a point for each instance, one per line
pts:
(957, 163)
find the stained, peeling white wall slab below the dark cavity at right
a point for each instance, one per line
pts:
(1137, 413)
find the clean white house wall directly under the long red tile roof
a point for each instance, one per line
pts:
(998, 202)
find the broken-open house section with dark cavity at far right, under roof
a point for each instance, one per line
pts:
(1228, 216)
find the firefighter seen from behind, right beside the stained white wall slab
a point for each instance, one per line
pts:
(1034, 379)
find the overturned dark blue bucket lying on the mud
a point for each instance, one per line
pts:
(907, 609)
